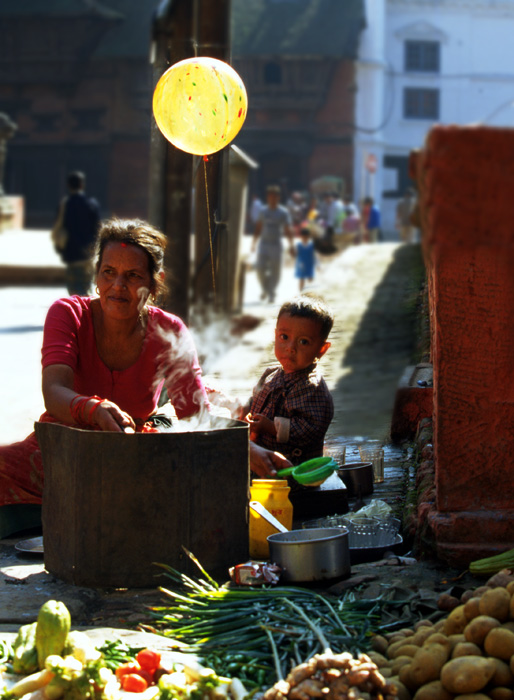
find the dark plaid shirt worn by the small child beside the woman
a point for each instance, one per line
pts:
(301, 407)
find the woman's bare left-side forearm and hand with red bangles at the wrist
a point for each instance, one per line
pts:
(60, 398)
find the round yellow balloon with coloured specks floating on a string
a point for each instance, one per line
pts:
(200, 104)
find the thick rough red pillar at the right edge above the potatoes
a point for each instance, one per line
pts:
(465, 178)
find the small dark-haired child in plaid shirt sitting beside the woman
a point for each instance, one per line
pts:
(291, 407)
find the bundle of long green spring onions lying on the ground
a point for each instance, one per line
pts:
(259, 634)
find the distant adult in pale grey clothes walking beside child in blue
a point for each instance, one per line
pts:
(274, 222)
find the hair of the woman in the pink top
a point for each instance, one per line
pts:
(135, 232)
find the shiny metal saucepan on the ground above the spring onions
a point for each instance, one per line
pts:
(311, 555)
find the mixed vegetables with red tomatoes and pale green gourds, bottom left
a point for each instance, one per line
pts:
(48, 661)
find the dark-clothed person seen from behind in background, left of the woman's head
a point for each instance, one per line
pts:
(74, 234)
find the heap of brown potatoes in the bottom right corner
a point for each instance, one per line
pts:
(467, 655)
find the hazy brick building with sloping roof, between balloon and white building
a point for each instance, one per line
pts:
(297, 60)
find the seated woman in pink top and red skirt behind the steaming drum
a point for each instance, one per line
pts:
(106, 359)
